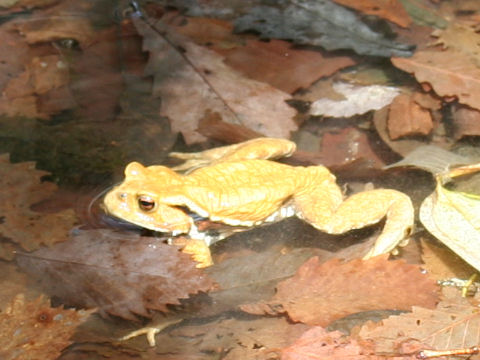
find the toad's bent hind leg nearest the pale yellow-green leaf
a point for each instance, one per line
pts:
(323, 210)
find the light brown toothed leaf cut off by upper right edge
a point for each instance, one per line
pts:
(450, 73)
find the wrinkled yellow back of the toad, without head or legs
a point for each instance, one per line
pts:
(247, 190)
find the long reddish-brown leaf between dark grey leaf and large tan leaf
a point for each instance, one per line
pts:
(275, 62)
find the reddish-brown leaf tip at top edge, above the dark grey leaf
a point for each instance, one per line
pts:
(392, 10)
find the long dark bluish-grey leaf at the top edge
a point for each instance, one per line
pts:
(330, 26)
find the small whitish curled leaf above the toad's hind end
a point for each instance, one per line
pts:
(358, 100)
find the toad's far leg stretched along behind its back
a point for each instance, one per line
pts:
(260, 148)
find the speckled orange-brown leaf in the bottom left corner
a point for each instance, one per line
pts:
(34, 330)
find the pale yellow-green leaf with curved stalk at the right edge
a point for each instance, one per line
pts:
(453, 217)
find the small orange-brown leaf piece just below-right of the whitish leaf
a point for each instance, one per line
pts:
(406, 117)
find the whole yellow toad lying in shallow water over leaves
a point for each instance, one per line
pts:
(239, 186)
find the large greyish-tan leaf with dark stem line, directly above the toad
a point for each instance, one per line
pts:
(196, 80)
